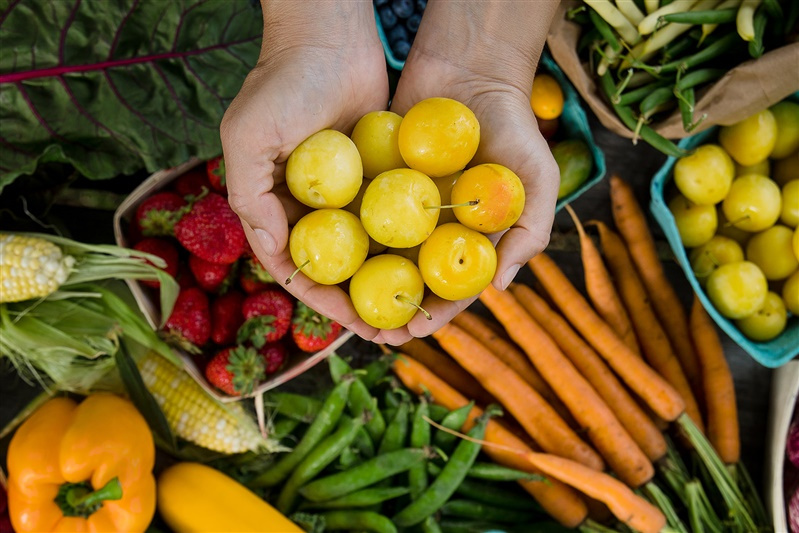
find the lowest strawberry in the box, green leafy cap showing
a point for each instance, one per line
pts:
(235, 370)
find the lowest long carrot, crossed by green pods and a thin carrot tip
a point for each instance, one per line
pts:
(559, 500)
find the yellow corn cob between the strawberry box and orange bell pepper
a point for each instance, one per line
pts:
(196, 416)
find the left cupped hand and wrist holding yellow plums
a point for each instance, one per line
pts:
(321, 66)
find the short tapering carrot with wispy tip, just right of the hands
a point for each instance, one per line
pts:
(600, 288)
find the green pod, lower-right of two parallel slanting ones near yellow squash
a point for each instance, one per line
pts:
(320, 457)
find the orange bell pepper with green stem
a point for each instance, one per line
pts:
(82, 467)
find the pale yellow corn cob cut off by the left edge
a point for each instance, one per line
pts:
(31, 267)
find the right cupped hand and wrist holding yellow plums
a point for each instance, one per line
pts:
(457, 55)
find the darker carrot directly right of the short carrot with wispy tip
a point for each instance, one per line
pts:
(654, 341)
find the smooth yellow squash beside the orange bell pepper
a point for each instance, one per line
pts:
(193, 498)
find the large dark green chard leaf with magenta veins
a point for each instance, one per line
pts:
(114, 86)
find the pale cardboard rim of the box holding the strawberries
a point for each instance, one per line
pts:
(147, 298)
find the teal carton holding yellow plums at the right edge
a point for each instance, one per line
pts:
(773, 353)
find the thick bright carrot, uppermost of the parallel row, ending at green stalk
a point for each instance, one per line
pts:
(658, 394)
